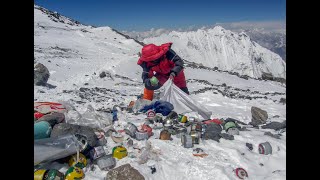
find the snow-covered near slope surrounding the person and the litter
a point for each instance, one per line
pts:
(76, 54)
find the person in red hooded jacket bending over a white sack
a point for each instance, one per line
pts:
(163, 63)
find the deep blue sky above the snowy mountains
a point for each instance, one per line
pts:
(141, 15)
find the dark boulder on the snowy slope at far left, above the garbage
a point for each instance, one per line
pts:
(41, 75)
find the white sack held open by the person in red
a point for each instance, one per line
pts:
(182, 102)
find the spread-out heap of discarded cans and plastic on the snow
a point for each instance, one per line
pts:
(61, 132)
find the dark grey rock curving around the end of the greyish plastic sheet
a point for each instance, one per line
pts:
(65, 128)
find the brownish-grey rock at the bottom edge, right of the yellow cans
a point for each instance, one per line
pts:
(124, 172)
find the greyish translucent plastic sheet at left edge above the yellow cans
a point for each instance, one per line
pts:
(50, 149)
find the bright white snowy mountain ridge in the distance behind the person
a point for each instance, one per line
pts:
(224, 49)
